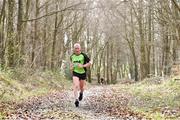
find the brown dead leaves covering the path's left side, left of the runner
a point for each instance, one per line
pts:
(38, 107)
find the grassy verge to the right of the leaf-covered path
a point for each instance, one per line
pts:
(155, 99)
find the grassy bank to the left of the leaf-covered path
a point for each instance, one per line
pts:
(19, 84)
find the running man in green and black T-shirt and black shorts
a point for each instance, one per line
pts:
(79, 62)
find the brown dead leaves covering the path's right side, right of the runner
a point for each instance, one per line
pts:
(113, 104)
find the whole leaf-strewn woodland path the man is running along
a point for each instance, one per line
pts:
(99, 103)
